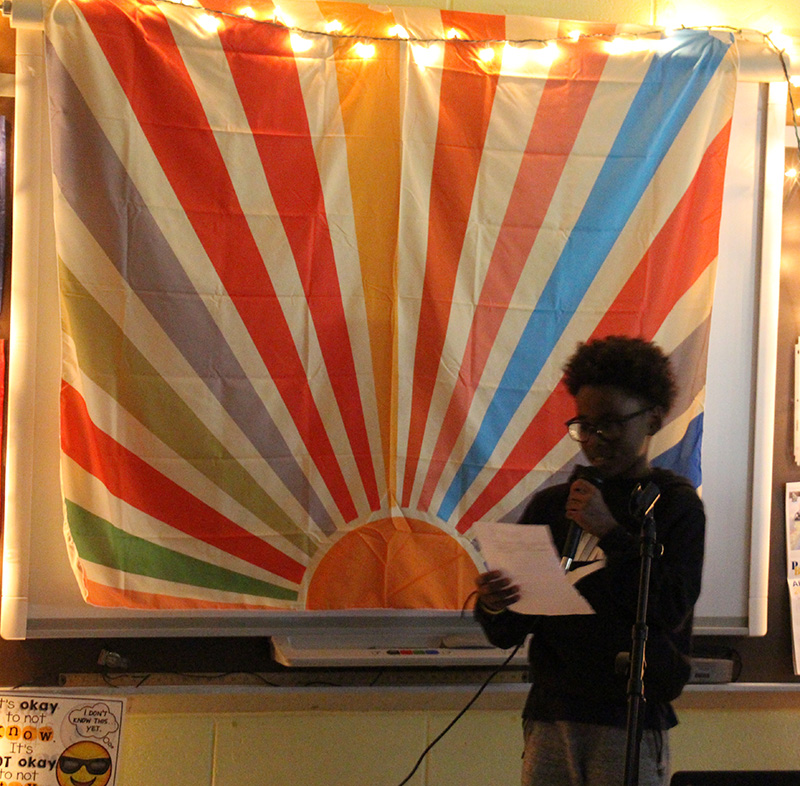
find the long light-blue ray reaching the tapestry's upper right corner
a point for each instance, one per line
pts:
(672, 86)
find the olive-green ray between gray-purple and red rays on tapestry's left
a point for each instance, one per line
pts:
(113, 363)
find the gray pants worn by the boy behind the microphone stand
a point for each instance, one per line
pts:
(565, 753)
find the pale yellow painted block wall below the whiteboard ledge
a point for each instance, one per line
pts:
(359, 747)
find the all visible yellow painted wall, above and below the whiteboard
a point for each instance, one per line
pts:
(230, 745)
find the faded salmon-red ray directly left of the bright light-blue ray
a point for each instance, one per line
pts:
(558, 120)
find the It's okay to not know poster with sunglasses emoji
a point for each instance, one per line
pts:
(59, 740)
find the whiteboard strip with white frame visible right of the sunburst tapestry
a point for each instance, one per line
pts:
(739, 417)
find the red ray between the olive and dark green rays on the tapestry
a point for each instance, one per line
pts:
(138, 484)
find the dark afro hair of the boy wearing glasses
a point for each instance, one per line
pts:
(638, 367)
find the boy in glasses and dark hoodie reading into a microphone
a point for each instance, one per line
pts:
(576, 712)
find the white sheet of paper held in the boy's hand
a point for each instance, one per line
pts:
(528, 556)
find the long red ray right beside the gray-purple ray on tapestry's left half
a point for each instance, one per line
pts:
(175, 124)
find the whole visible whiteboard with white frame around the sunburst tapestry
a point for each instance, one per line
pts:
(40, 597)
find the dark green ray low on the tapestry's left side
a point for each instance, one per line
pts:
(100, 542)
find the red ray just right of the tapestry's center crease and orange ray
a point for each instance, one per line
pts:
(468, 93)
